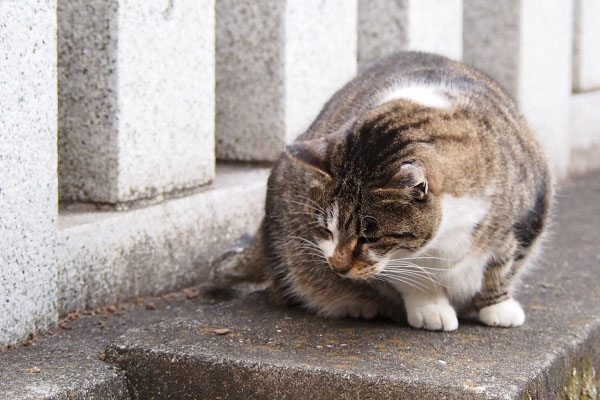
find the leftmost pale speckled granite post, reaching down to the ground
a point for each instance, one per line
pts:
(28, 195)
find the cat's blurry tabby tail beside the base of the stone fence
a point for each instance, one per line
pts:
(243, 261)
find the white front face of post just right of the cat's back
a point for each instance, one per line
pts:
(545, 75)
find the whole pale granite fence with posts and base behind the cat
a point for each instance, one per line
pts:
(118, 110)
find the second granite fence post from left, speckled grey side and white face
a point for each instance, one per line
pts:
(136, 98)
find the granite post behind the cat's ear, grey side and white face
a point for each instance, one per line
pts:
(277, 64)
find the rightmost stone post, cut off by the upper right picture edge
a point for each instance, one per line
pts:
(586, 48)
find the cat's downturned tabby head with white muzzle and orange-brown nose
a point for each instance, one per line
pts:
(370, 192)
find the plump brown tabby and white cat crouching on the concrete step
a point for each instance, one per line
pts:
(418, 188)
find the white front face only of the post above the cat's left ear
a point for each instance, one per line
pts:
(320, 57)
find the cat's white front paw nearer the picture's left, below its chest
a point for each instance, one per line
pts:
(431, 311)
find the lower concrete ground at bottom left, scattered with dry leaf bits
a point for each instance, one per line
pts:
(68, 365)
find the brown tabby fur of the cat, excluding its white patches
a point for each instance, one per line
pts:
(353, 152)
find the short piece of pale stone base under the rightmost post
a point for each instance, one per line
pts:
(584, 126)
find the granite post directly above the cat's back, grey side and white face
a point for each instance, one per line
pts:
(388, 26)
